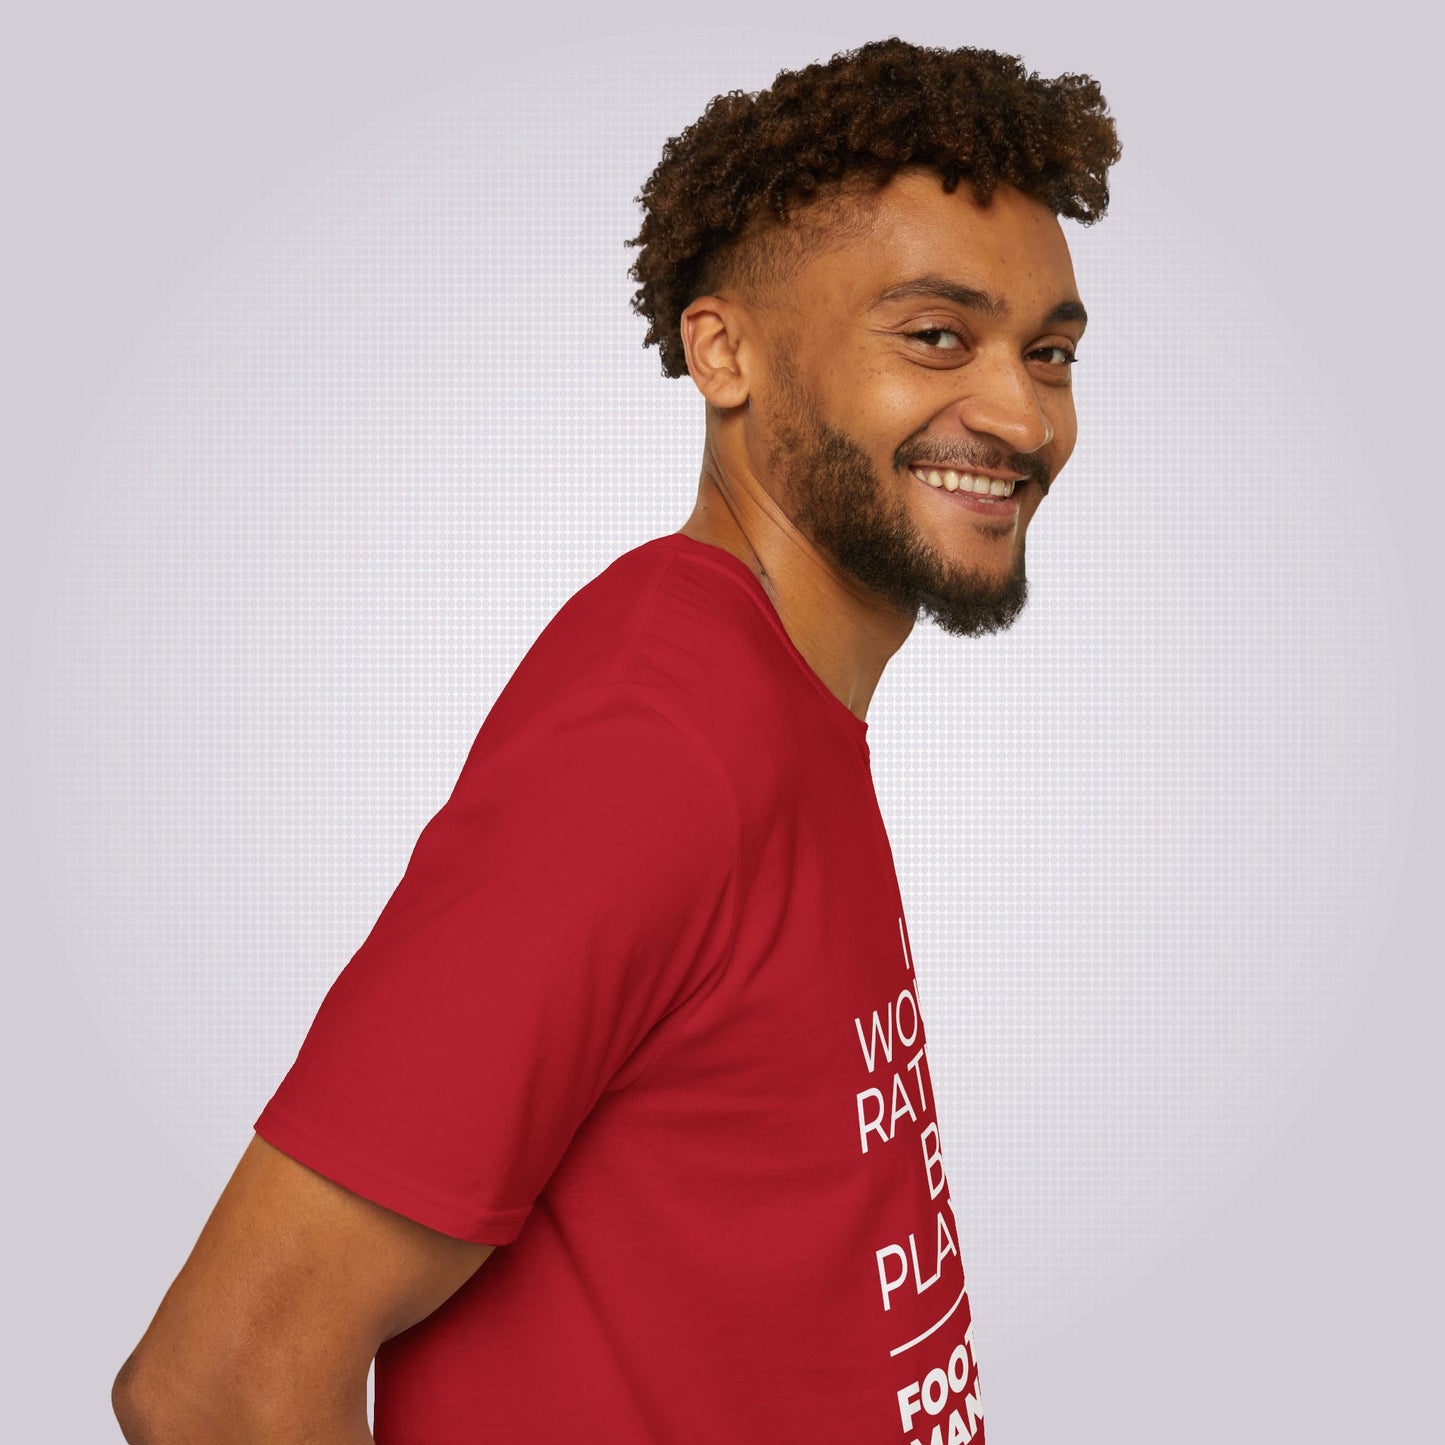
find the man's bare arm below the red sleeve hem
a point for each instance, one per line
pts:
(293, 1287)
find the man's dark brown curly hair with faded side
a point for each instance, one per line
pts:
(719, 209)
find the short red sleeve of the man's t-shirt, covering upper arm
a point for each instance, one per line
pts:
(577, 887)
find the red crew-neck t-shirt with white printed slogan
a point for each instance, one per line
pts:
(644, 1012)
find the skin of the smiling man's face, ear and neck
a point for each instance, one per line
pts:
(817, 400)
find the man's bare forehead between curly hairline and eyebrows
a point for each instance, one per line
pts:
(1012, 246)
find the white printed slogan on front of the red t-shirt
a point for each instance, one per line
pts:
(943, 1404)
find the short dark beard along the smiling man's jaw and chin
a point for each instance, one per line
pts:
(836, 498)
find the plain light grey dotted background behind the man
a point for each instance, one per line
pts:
(323, 394)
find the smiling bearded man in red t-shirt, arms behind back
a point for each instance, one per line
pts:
(641, 1017)
